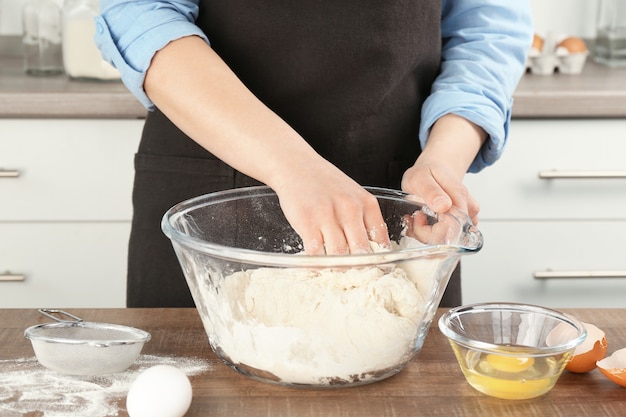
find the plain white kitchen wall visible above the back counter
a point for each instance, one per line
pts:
(573, 17)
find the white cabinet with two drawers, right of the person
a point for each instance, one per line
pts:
(557, 242)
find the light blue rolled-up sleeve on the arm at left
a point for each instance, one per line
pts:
(130, 32)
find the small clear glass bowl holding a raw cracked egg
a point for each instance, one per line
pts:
(511, 351)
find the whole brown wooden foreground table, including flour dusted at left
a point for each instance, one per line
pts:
(431, 385)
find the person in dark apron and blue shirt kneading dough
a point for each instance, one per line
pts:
(314, 99)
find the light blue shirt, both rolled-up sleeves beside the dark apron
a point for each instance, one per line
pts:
(485, 43)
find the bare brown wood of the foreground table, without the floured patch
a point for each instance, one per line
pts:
(432, 385)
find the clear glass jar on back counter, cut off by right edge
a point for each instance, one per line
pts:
(610, 48)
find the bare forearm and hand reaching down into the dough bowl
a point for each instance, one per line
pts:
(333, 214)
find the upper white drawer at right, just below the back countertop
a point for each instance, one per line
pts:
(512, 188)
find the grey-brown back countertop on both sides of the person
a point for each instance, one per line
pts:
(599, 91)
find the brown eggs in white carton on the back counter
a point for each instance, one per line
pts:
(567, 54)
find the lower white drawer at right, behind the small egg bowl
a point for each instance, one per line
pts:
(514, 251)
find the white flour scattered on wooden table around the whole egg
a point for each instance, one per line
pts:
(27, 388)
